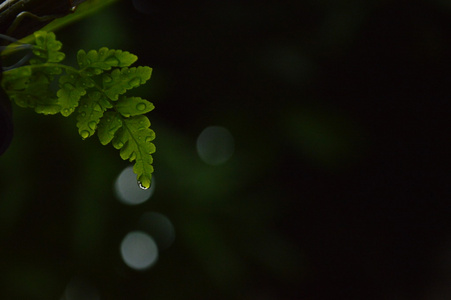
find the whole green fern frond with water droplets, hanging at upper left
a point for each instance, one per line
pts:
(95, 90)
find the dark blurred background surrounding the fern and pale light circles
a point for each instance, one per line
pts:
(338, 187)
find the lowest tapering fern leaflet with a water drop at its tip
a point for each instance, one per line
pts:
(134, 139)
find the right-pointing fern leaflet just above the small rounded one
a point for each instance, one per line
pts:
(124, 79)
